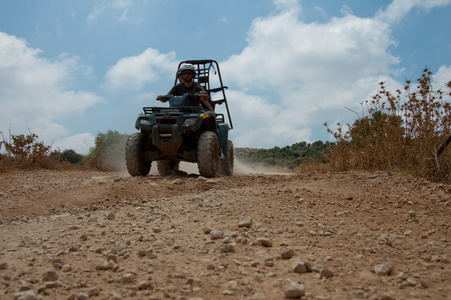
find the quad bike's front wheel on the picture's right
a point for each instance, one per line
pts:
(208, 154)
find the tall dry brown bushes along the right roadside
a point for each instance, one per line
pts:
(408, 131)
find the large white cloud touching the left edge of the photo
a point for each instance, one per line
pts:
(32, 91)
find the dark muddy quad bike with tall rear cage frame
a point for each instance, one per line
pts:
(179, 132)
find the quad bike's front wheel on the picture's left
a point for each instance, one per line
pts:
(136, 166)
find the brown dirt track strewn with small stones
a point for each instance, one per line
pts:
(94, 235)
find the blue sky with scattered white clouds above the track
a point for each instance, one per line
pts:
(72, 69)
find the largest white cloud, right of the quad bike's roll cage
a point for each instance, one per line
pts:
(313, 70)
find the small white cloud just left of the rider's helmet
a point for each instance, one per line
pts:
(134, 72)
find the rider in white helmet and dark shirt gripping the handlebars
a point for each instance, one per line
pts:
(188, 85)
